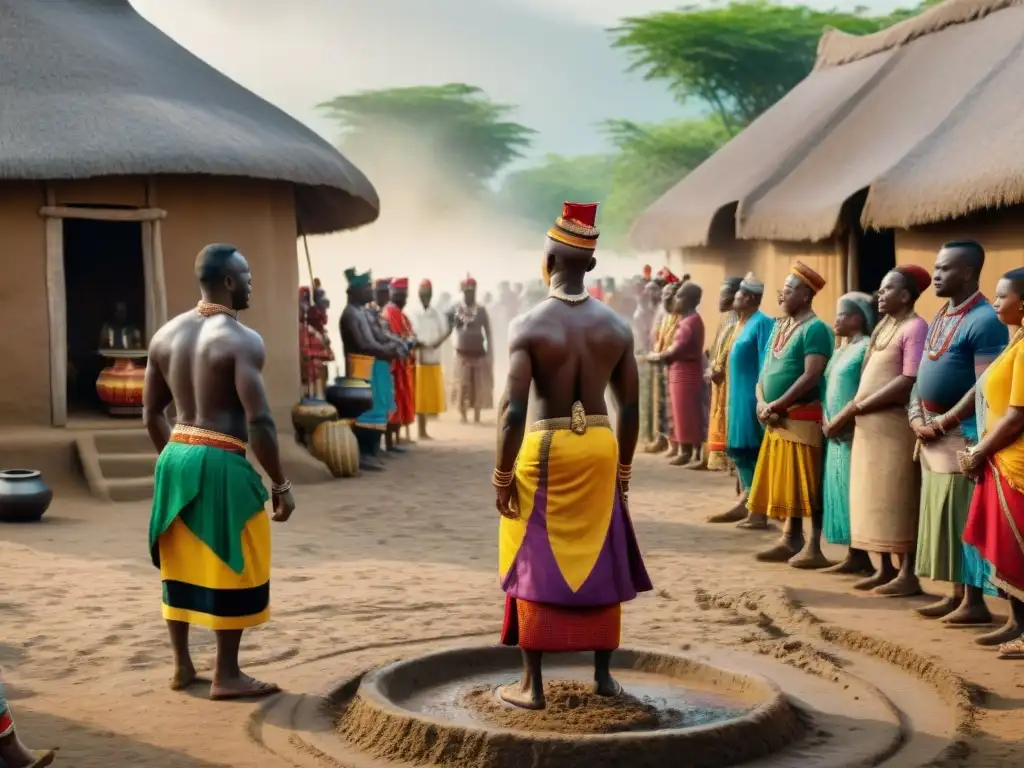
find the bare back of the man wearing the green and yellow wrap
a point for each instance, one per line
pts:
(198, 359)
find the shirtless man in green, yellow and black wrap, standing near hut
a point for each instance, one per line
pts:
(209, 534)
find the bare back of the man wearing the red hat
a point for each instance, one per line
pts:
(576, 353)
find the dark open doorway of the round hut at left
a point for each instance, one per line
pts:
(105, 287)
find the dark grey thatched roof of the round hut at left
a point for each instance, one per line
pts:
(90, 89)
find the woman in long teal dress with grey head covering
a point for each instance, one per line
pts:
(856, 319)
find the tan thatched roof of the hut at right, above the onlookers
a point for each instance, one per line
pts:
(933, 133)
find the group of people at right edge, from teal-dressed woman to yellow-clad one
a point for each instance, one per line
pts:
(924, 436)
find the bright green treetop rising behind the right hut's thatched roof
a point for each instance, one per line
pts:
(738, 59)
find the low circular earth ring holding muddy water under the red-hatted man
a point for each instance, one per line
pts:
(443, 709)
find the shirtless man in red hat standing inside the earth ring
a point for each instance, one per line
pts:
(572, 472)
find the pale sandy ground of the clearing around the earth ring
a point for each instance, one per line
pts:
(372, 569)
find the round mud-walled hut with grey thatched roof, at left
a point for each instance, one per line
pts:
(121, 156)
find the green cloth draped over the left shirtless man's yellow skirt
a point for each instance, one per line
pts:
(214, 492)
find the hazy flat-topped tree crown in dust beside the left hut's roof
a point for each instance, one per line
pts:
(456, 126)
